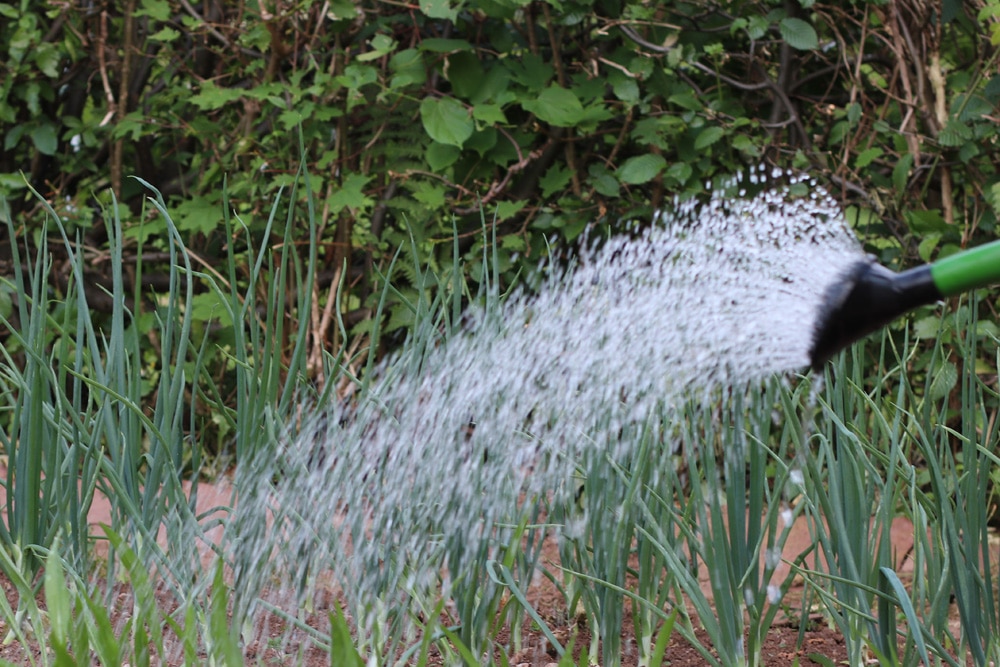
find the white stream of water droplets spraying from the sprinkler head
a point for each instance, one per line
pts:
(714, 294)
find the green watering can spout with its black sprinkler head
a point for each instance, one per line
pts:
(869, 296)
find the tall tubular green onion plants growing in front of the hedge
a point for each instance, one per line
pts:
(682, 530)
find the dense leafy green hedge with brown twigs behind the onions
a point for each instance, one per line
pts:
(546, 116)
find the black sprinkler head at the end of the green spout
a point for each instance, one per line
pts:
(868, 297)
